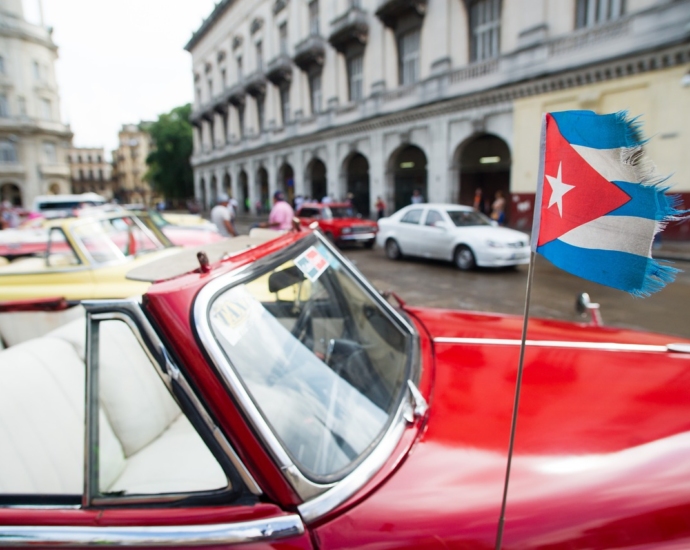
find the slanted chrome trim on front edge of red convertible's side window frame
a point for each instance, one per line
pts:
(137, 322)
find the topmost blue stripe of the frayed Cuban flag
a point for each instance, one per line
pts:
(589, 129)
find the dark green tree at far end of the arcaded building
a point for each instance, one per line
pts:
(170, 172)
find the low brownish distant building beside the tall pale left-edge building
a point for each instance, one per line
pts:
(90, 171)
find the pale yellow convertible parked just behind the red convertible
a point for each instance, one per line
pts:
(83, 258)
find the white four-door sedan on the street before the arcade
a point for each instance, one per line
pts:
(454, 233)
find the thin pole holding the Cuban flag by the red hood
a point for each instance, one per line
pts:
(530, 275)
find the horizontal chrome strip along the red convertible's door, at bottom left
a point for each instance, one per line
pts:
(162, 536)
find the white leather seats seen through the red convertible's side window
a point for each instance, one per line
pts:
(146, 444)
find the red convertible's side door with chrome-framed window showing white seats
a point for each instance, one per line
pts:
(141, 464)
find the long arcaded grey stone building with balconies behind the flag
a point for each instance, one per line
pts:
(382, 97)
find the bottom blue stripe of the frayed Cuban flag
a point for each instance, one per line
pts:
(639, 275)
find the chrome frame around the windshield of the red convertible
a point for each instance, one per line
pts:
(319, 498)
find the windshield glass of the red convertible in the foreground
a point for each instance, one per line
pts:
(324, 362)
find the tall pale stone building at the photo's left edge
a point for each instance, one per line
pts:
(34, 143)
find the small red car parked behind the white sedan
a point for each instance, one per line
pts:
(339, 222)
